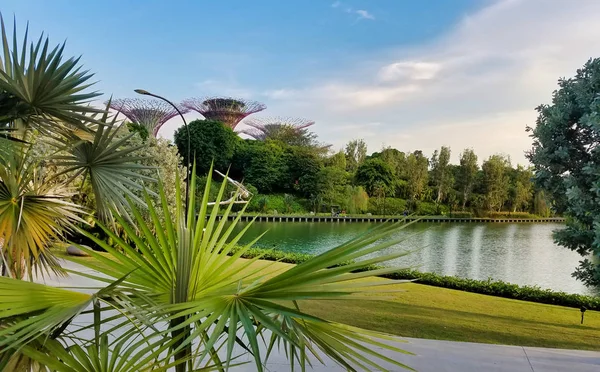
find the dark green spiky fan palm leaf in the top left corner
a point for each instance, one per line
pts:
(40, 90)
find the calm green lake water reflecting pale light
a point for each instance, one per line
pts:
(522, 253)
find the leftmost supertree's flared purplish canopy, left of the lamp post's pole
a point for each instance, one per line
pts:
(148, 113)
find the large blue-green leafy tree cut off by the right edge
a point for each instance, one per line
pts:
(566, 160)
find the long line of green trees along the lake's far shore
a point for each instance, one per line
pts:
(308, 176)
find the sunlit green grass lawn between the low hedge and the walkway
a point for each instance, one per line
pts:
(437, 313)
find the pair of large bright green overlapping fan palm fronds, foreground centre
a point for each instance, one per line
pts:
(205, 292)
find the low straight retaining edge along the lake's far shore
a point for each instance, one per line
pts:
(371, 219)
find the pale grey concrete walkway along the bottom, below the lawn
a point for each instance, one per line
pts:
(448, 356)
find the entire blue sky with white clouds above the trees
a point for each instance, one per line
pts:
(411, 74)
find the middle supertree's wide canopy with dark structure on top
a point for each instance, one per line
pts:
(229, 111)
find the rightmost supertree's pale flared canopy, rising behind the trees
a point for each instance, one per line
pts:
(275, 128)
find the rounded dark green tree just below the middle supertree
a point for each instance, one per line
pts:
(211, 142)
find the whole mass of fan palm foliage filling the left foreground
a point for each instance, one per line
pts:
(176, 295)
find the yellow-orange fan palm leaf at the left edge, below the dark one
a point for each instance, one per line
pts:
(33, 214)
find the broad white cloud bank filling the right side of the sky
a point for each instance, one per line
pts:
(474, 86)
